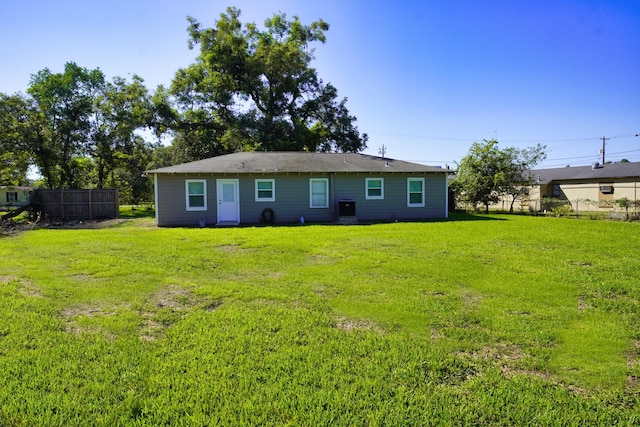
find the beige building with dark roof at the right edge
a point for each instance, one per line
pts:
(589, 188)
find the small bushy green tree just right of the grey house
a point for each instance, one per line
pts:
(486, 173)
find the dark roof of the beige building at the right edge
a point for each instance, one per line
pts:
(606, 171)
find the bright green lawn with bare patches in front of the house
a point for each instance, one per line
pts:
(500, 320)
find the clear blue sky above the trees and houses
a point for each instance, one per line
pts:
(424, 78)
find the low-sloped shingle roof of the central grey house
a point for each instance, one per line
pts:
(284, 162)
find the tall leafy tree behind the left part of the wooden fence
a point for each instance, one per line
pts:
(65, 104)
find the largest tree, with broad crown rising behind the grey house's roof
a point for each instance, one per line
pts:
(253, 88)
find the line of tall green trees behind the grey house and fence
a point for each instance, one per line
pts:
(249, 89)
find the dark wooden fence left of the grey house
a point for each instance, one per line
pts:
(79, 204)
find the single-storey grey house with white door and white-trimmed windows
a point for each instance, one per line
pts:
(287, 187)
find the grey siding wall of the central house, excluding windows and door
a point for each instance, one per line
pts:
(292, 198)
